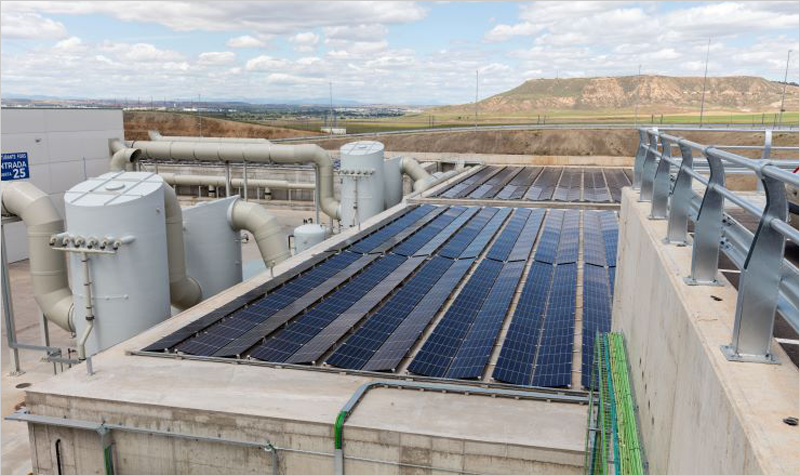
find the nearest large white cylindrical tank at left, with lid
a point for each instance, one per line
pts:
(130, 287)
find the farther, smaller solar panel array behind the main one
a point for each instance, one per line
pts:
(564, 184)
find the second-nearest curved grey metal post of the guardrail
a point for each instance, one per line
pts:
(708, 227)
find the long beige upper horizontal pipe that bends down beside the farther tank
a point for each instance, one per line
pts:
(233, 152)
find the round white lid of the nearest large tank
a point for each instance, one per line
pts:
(113, 188)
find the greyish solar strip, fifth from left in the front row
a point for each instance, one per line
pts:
(327, 337)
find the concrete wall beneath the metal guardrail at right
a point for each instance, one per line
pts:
(699, 413)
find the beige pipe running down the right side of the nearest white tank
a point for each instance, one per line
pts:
(184, 290)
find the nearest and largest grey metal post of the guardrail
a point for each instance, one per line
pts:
(760, 281)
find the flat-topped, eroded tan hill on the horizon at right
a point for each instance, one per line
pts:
(655, 94)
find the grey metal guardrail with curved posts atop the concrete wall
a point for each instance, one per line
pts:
(768, 283)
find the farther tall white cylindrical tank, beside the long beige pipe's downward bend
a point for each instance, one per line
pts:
(362, 173)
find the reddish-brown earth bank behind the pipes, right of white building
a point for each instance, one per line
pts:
(137, 123)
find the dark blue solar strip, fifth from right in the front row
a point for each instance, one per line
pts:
(436, 354)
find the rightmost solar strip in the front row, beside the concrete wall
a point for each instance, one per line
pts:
(596, 315)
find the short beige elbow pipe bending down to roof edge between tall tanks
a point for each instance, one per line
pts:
(264, 227)
